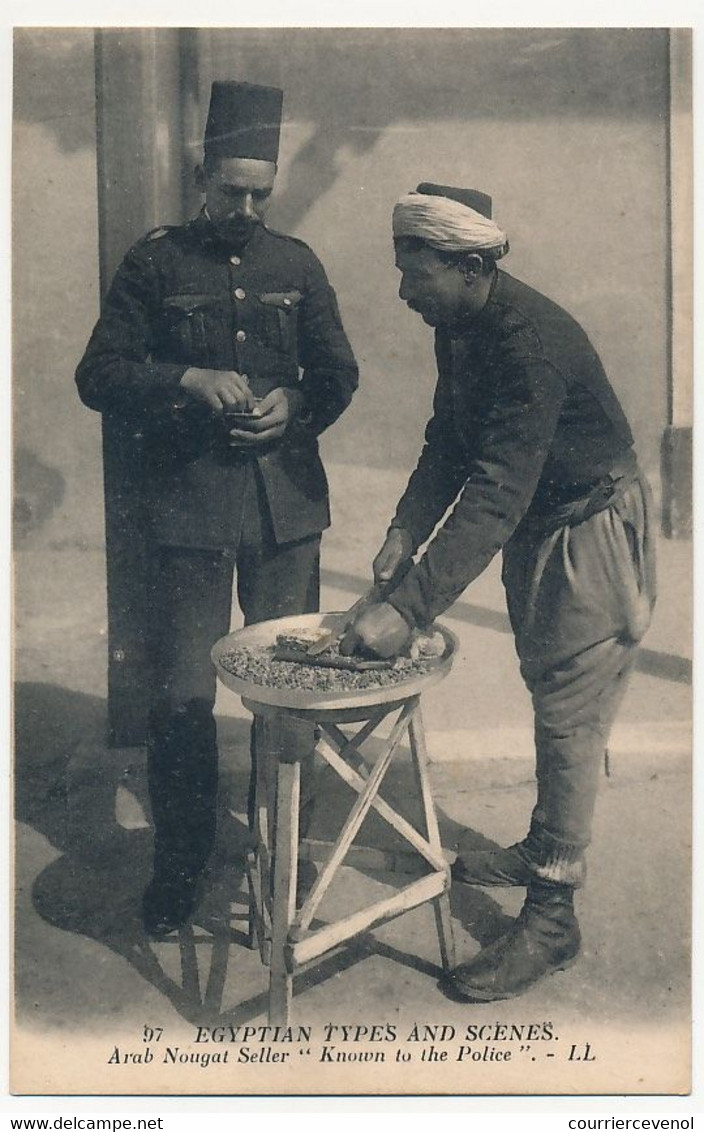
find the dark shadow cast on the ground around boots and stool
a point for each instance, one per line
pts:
(66, 788)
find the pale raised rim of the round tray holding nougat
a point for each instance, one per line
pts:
(265, 633)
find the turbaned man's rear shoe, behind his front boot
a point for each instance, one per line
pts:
(517, 865)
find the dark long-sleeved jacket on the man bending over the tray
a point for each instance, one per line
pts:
(525, 421)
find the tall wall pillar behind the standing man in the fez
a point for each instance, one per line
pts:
(142, 185)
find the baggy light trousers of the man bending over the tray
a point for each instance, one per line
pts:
(580, 599)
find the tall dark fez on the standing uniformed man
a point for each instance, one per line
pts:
(244, 122)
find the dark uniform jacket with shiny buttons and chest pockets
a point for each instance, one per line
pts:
(181, 299)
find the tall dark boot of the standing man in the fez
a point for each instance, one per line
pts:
(183, 776)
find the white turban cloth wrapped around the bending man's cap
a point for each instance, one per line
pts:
(448, 225)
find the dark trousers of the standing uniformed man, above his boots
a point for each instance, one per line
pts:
(191, 603)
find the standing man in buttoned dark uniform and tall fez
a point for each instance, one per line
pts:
(221, 341)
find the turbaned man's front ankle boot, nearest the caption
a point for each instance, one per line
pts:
(545, 939)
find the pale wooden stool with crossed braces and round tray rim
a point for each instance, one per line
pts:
(286, 936)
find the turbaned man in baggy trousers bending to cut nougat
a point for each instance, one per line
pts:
(530, 449)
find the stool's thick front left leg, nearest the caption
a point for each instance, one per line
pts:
(286, 874)
